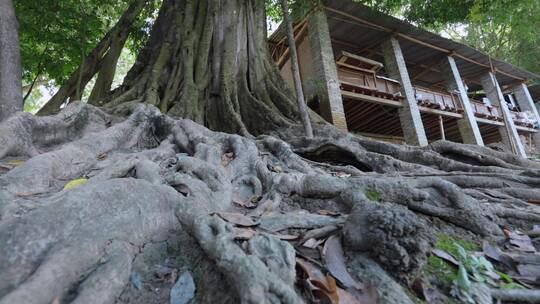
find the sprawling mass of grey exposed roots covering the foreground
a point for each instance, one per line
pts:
(149, 174)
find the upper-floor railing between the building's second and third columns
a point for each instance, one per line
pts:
(438, 99)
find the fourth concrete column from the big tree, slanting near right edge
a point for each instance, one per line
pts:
(509, 132)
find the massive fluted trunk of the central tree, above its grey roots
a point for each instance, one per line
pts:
(208, 61)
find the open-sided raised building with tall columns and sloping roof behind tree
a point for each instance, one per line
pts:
(379, 76)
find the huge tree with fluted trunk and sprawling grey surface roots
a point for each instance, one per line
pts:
(155, 173)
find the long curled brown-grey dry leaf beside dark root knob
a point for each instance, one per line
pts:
(334, 260)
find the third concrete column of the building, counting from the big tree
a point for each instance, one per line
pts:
(468, 127)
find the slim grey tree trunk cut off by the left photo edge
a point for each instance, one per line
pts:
(10, 62)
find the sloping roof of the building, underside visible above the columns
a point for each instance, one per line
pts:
(354, 27)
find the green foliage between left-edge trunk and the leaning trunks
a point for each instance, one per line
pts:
(55, 35)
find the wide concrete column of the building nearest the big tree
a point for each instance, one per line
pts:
(326, 88)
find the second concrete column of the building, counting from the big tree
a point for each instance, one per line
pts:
(409, 114)
